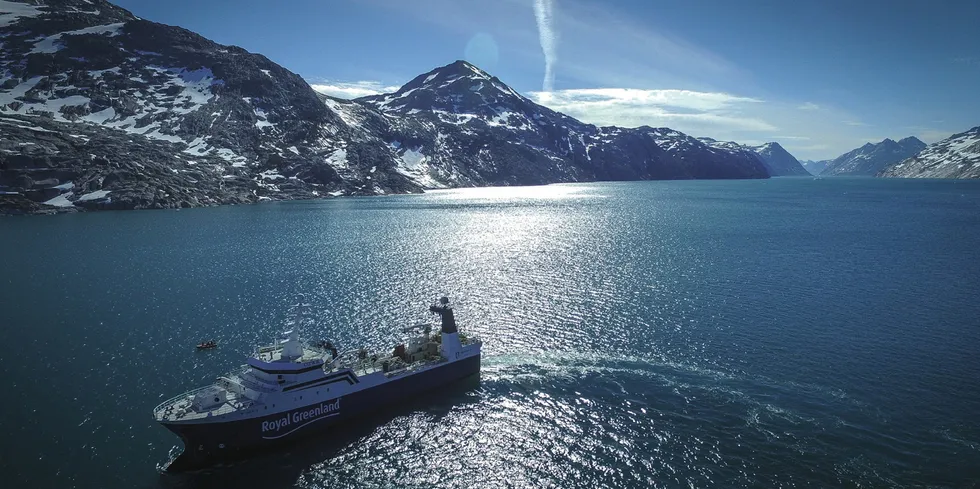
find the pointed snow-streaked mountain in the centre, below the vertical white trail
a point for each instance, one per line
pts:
(459, 126)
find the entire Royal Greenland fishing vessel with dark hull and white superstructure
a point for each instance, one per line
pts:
(292, 388)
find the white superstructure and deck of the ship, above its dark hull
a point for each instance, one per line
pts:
(291, 374)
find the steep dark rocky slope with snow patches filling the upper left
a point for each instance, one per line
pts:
(228, 125)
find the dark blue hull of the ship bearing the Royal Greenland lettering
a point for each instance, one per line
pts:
(209, 443)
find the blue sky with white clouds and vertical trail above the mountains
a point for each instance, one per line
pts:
(820, 77)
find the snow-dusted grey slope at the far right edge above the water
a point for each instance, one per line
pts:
(957, 156)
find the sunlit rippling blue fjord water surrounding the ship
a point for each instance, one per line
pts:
(793, 332)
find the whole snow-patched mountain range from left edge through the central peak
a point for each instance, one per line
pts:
(102, 110)
